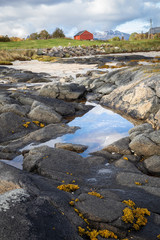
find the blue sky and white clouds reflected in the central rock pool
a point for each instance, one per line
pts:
(98, 128)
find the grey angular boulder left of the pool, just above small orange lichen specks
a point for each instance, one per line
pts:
(45, 114)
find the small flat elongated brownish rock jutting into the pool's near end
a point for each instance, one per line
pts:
(71, 147)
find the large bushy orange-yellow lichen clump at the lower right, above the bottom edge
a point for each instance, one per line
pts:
(135, 216)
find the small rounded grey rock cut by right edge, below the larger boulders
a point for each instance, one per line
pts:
(152, 164)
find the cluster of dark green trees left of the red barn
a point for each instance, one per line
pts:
(58, 33)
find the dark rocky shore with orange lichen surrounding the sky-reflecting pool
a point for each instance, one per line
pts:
(112, 194)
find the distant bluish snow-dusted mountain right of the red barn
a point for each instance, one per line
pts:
(110, 34)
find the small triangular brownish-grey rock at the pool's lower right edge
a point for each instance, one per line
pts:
(121, 146)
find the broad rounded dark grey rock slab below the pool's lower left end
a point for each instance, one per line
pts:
(56, 163)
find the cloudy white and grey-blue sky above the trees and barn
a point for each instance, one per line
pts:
(23, 17)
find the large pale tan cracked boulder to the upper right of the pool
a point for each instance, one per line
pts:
(136, 95)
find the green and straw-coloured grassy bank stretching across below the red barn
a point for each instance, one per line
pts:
(26, 50)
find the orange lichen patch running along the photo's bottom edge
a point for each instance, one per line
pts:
(92, 234)
